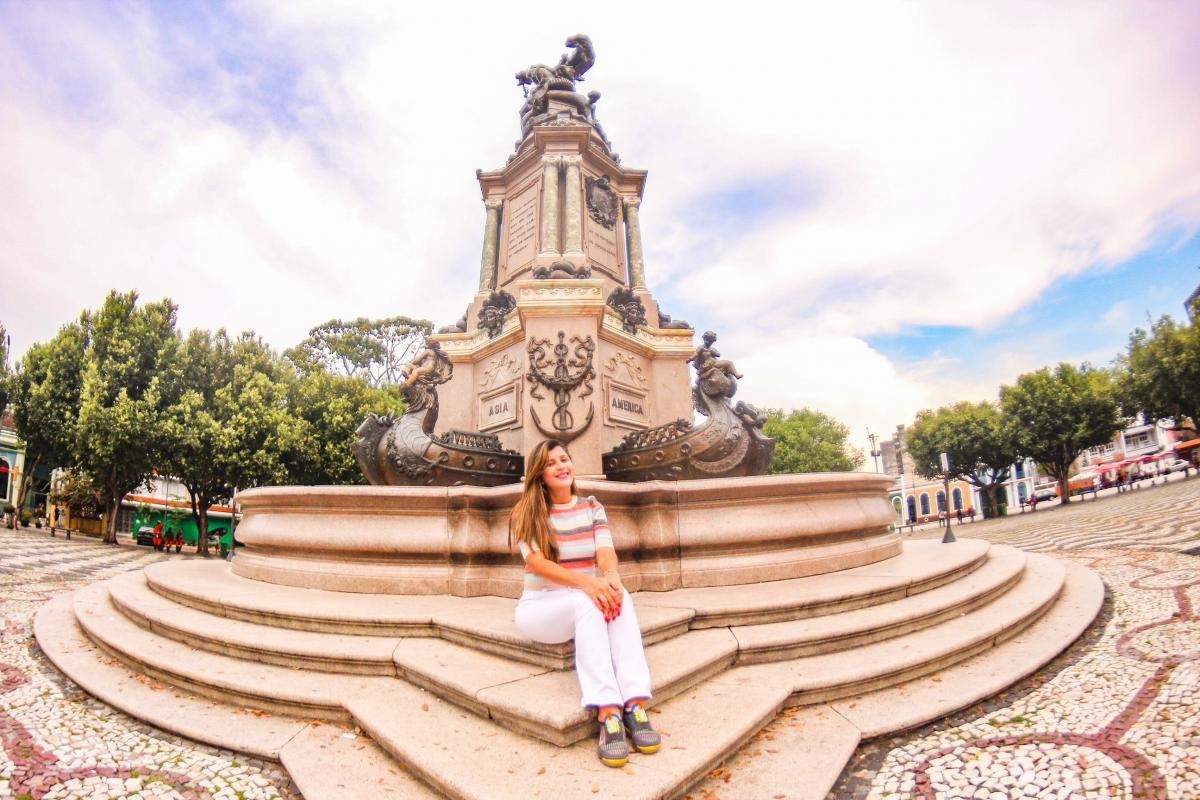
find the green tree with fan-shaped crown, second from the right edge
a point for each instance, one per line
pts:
(1055, 416)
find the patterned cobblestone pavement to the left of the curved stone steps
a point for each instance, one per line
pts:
(58, 743)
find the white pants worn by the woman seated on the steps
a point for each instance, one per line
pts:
(610, 660)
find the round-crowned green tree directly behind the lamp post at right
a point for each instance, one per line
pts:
(982, 448)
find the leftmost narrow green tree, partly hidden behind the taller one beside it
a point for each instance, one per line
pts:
(46, 394)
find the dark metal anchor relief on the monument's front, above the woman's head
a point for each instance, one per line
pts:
(562, 369)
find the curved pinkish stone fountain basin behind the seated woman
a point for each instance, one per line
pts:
(670, 534)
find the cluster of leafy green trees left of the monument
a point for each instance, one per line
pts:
(119, 398)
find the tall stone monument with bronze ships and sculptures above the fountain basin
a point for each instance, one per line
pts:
(563, 339)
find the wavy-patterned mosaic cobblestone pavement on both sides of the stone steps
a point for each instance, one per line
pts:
(1115, 717)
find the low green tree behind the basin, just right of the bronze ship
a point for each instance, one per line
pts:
(809, 442)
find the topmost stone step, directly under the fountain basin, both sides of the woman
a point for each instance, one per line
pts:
(487, 623)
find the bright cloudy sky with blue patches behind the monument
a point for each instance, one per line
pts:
(887, 207)
